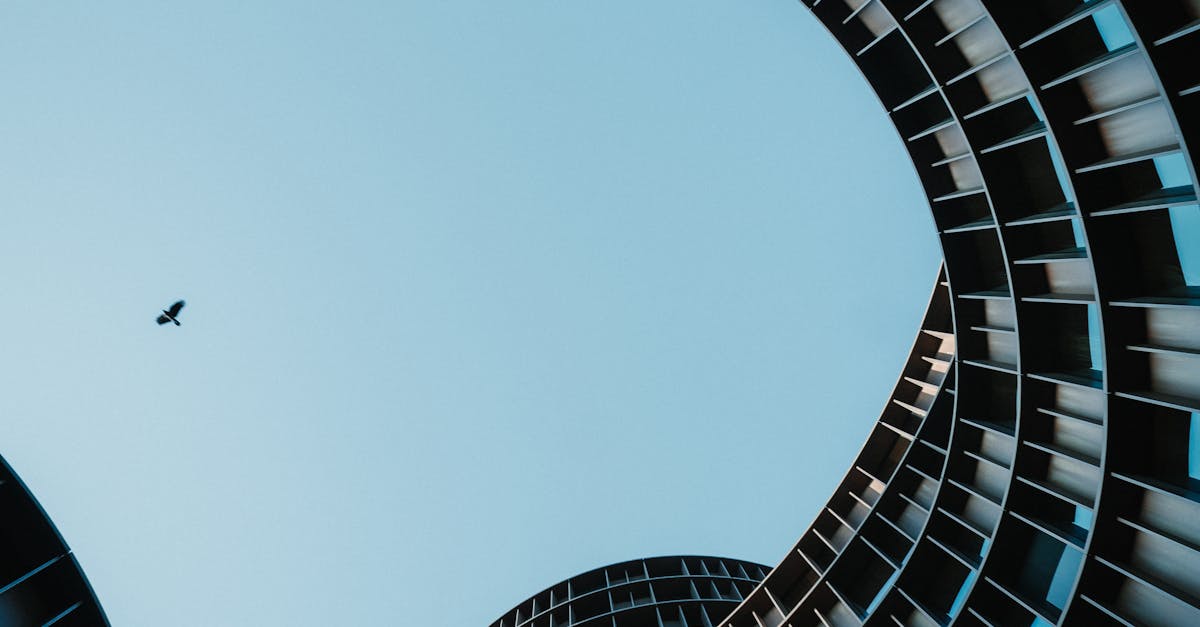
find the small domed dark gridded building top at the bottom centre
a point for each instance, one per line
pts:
(674, 592)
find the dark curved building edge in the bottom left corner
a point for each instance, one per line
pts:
(41, 583)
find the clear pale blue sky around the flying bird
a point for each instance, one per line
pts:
(481, 295)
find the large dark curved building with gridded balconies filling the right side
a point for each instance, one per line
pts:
(1053, 476)
